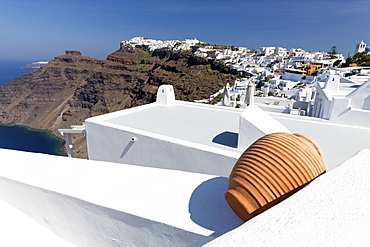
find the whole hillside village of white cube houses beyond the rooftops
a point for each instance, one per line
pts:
(285, 74)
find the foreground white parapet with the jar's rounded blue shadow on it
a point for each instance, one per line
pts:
(94, 203)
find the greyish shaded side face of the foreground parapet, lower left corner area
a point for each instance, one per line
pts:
(90, 225)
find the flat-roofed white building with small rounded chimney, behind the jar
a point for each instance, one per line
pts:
(177, 135)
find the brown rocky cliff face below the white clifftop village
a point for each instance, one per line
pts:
(72, 87)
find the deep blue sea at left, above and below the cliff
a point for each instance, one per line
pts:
(20, 137)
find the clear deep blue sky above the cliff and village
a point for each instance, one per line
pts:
(43, 29)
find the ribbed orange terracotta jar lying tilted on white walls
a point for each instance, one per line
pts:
(270, 170)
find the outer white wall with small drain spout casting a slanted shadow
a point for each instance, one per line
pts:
(107, 143)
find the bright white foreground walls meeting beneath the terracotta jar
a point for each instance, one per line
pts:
(94, 203)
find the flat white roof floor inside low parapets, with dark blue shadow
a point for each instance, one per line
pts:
(217, 127)
